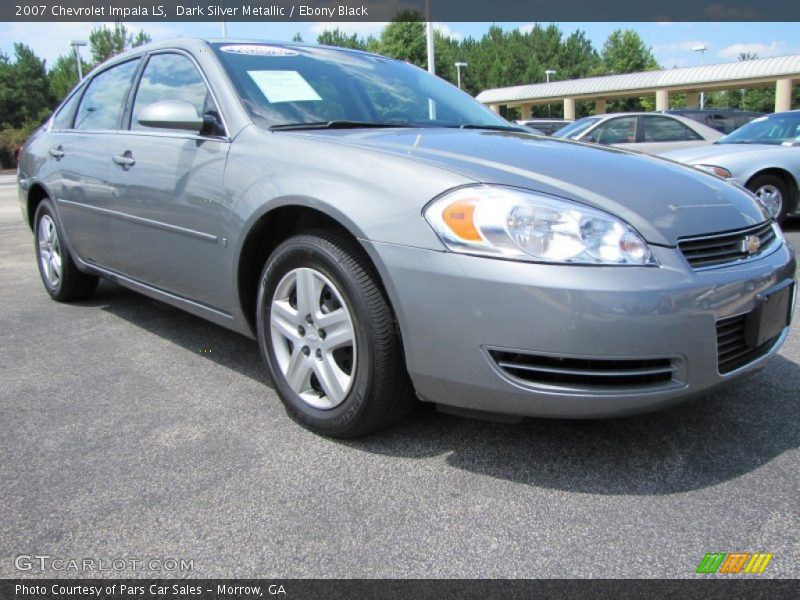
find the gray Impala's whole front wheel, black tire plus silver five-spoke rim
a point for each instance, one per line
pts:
(329, 338)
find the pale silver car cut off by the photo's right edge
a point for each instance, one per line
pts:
(763, 156)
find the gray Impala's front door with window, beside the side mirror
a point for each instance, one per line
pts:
(168, 184)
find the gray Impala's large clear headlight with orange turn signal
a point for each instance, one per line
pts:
(509, 223)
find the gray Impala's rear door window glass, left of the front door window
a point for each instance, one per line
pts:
(103, 102)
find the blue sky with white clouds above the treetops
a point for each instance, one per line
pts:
(671, 42)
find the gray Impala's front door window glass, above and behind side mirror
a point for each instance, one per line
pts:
(170, 77)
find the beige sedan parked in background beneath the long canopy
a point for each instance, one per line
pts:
(646, 132)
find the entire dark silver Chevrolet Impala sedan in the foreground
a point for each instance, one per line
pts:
(384, 237)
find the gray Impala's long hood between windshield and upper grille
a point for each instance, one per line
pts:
(664, 201)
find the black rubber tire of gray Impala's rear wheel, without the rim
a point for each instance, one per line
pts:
(71, 284)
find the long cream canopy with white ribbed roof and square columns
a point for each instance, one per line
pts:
(780, 71)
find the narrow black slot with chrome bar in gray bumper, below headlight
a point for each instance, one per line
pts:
(555, 370)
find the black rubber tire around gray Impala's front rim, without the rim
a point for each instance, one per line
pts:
(380, 390)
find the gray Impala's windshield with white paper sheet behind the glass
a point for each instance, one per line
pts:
(285, 86)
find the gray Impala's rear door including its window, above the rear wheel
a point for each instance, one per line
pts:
(80, 146)
